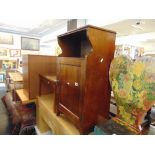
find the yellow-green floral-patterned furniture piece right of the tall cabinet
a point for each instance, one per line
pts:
(133, 85)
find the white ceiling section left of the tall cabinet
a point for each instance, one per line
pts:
(35, 28)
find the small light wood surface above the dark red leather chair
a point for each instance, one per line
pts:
(23, 96)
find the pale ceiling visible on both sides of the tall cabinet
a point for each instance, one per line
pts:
(41, 27)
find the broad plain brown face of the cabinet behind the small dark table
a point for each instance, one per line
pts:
(39, 65)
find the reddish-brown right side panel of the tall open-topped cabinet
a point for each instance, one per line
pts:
(97, 97)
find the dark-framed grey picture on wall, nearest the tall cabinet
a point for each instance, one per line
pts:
(30, 44)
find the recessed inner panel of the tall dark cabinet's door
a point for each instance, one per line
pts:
(70, 87)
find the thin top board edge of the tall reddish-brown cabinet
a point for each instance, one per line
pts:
(85, 28)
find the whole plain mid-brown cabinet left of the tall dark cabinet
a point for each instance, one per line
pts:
(33, 65)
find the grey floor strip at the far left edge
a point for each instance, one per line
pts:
(4, 117)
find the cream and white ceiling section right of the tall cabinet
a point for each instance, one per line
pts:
(134, 31)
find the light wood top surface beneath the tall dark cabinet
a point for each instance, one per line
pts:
(59, 125)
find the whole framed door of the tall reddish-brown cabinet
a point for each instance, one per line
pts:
(70, 85)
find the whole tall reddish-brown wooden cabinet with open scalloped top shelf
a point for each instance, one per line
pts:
(83, 75)
